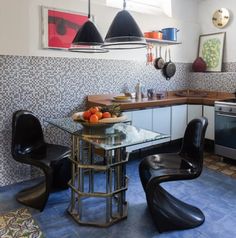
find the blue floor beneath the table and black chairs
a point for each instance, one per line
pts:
(212, 192)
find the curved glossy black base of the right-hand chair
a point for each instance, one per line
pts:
(169, 213)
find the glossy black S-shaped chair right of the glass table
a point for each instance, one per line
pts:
(168, 212)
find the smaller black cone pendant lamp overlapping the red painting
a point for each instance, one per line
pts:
(88, 39)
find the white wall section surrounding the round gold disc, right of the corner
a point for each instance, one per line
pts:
(206, 9)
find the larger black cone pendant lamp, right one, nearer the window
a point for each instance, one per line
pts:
(124, 33)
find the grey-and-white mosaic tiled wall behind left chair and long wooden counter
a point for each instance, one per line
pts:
(55, 87)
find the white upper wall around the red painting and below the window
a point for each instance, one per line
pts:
(20, 25)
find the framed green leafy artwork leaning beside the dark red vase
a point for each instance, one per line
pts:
(211, 49)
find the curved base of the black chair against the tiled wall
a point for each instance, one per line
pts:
(35, 197)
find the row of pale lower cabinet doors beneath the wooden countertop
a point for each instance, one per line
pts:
(170, 120)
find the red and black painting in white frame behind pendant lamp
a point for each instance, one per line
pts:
(72, 27)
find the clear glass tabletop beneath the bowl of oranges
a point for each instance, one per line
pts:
(108, 137)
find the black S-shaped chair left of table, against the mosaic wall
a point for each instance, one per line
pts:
(29, 147)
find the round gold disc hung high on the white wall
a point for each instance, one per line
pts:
(221, 17)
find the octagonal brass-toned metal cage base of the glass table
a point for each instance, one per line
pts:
(115, 186)
